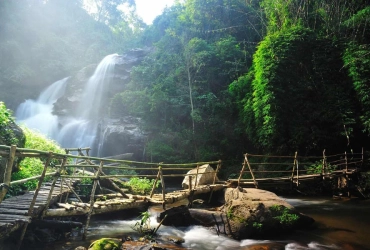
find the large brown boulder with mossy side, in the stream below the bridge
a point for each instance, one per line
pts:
(259, 212)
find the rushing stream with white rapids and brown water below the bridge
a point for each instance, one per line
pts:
(340, 224)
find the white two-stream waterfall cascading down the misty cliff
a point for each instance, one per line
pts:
(80, 129)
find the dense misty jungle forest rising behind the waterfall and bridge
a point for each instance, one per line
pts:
(225, 76)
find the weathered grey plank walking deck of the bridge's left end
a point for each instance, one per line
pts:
(14, 210)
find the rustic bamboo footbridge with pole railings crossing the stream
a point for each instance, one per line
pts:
(56, 194)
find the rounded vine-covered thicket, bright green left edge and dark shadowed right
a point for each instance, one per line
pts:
(296, 99)
